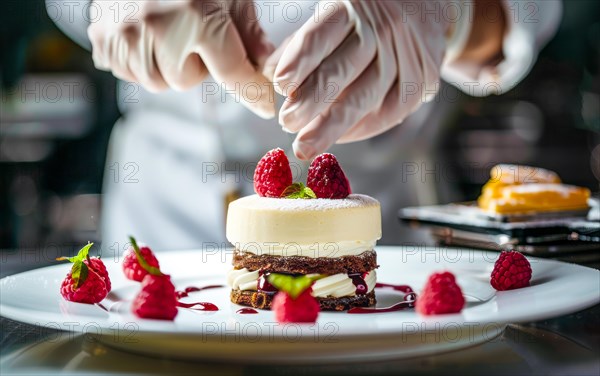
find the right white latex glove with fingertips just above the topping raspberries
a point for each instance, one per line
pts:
(357, 69)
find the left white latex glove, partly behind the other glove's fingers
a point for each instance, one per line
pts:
(177, 43)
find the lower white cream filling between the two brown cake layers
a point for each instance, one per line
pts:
(336, 285)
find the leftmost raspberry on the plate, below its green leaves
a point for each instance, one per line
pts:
(91, 289)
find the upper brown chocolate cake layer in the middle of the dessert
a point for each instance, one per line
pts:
(362, 263)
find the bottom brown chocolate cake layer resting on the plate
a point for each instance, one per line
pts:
(262, 300)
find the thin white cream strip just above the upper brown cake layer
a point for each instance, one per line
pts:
(314, 250)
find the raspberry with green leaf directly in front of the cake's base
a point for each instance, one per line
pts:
(305, 308)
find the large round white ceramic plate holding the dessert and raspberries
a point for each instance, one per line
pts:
(557, 288)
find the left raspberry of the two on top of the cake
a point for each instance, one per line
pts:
(273, 174)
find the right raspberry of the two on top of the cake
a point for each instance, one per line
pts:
(326, 177)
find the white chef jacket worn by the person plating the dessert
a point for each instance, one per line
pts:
(175, 156)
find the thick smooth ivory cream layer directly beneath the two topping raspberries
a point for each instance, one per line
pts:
(313, 227)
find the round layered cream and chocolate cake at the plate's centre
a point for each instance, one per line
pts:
(329, 239)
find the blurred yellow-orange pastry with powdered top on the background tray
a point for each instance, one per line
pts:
(515, 189)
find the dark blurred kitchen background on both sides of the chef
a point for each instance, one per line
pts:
(57, 111)
